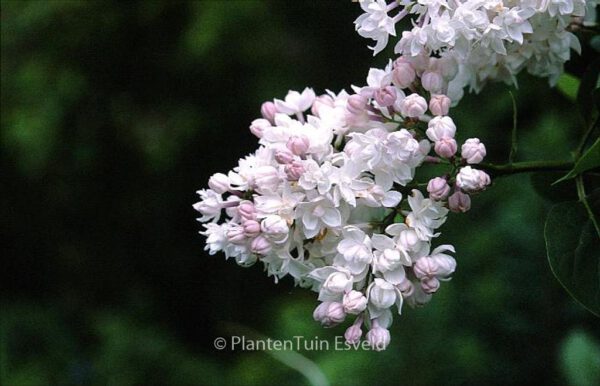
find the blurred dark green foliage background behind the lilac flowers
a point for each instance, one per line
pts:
(115, 113)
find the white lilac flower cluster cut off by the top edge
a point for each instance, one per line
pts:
(474, 40)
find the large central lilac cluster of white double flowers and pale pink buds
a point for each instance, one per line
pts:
(329, 197)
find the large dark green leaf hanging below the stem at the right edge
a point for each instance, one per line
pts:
(573, 249)
